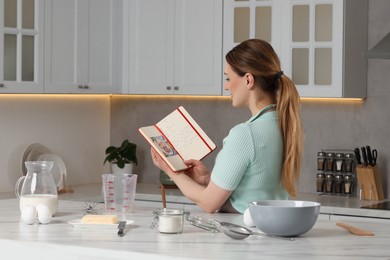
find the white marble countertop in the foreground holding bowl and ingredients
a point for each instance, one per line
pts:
(60, 240)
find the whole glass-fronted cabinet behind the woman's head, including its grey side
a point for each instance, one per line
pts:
(321, 43)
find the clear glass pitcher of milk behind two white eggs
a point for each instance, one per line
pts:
(38, 186)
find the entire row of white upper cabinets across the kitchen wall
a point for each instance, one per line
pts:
(177, 46)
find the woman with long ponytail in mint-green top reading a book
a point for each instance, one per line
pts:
(260, 158)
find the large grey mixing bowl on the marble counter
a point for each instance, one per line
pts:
(286, 218)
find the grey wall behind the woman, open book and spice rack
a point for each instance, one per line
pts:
(327, 124)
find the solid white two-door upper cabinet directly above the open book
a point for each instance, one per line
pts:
(173, 47)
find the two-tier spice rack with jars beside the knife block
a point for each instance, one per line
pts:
(336, 172)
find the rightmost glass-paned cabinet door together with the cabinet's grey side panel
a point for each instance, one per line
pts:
(323, 47)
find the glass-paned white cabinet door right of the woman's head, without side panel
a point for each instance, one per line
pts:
(313, 46)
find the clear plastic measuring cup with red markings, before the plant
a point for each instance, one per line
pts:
(119, 191)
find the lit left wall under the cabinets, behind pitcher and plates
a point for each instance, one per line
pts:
(77, 128)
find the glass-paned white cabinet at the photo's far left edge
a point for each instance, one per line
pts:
(21, 46)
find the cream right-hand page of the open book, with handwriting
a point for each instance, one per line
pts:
(183, 137)
